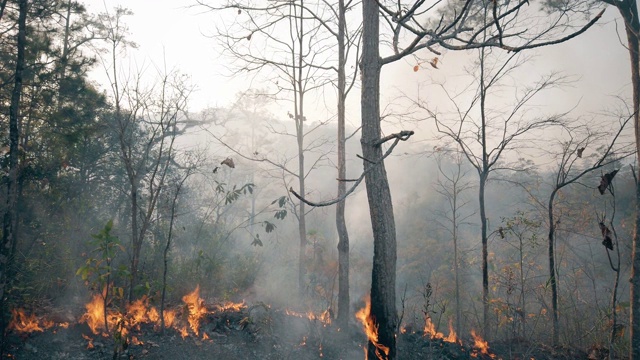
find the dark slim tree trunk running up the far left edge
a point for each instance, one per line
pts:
(10, 220)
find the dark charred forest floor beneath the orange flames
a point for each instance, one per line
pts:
(258, 332)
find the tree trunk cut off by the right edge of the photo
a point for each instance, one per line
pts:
(629, 11)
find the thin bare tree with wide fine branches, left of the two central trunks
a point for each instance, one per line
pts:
(296, 65)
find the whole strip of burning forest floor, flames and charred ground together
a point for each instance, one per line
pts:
(198, 330)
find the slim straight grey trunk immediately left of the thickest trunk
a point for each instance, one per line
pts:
(343, 235)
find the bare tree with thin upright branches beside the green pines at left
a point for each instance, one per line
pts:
(146, 123)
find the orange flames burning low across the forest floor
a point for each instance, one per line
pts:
(131, 326)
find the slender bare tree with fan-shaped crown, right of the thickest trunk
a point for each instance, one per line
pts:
(486, 137)
